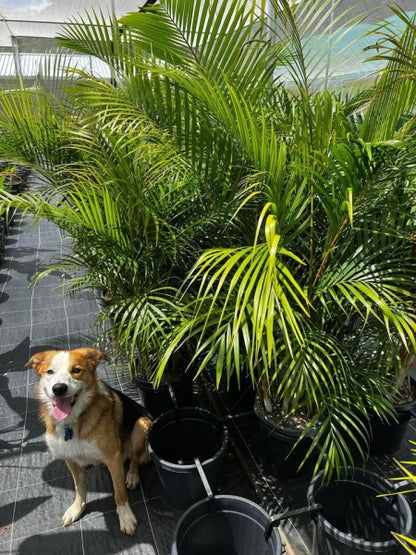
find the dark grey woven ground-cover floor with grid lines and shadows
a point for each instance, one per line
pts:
(35, 489)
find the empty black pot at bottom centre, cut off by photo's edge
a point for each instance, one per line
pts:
(225, 525)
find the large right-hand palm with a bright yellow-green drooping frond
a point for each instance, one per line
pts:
(315, 297)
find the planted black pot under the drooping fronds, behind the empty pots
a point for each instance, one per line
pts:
(281, 447)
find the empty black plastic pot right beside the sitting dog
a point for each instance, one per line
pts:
(174, 440)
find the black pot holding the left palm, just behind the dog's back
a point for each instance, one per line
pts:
(159, 400)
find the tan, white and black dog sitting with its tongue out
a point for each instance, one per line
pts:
(89, 423)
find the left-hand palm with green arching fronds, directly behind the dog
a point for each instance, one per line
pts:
(127, 199)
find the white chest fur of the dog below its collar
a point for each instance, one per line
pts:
(78, 450)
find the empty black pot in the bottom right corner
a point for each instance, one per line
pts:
(353, 520)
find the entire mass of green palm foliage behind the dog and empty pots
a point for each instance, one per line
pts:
(232, 206)
